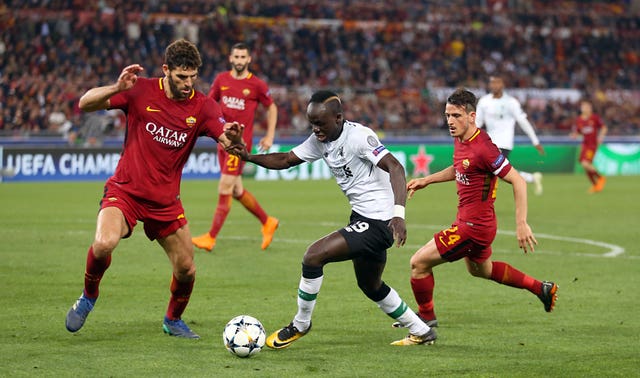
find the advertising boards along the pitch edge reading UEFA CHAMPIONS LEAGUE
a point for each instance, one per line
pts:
(32, 162)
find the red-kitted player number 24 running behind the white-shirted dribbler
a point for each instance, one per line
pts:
(477, 163)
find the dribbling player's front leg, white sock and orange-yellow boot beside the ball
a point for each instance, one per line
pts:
(331, 248)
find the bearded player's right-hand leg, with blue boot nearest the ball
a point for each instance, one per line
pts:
(179, 249)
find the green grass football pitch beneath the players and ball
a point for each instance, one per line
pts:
(588, 244)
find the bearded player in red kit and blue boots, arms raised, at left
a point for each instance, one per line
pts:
(165, 116)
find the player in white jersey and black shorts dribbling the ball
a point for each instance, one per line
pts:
(374, 182)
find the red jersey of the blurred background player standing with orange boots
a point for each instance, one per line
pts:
(239, 99)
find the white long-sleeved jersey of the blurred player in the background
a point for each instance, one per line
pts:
(499, 116)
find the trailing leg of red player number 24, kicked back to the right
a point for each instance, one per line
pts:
(504, 273)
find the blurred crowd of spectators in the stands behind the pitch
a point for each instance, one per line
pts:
(387, 62)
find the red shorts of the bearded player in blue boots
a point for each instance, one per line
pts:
(158, 222)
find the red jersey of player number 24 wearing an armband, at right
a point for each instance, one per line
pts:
(478, 163)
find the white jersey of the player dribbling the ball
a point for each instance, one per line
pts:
(352, 159)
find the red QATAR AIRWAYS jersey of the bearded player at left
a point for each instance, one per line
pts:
(159, 137)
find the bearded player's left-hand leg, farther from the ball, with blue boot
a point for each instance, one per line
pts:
(111, 227)
